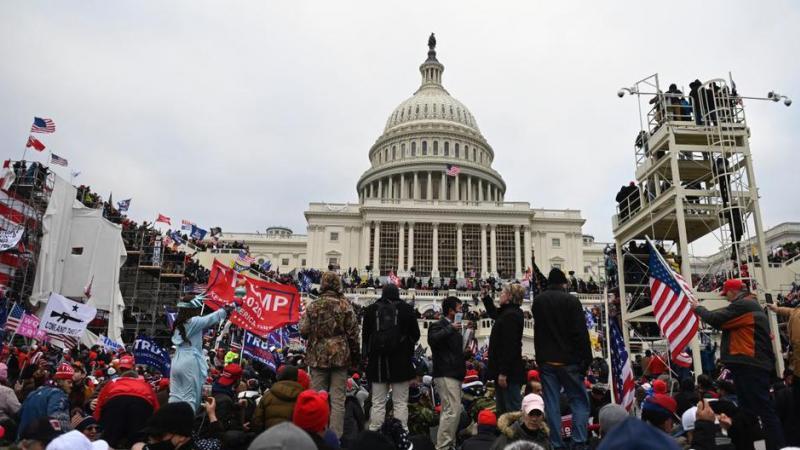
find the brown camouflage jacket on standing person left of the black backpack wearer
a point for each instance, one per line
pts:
(330, 328)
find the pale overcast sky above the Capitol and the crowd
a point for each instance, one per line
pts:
(240, 113)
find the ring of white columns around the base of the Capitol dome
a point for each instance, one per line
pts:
(419, 186)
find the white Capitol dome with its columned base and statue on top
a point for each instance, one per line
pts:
(431, 149)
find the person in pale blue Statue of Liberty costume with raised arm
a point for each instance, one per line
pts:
(189, 367)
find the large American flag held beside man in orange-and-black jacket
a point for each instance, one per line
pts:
(670, 296)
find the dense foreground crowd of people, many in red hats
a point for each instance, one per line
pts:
(364, 379)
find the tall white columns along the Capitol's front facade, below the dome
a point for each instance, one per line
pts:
(488, 261)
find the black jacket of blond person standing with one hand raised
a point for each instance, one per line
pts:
(505, 342)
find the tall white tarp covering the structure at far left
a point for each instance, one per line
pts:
(80, 247)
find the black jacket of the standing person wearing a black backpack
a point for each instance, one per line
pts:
(398, 366)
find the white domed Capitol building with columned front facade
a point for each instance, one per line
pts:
(412, 213)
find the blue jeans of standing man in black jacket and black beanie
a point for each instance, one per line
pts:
(570, 378)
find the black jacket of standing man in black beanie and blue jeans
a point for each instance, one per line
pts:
(559, 329)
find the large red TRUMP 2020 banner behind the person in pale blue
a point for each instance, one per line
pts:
(265, 306)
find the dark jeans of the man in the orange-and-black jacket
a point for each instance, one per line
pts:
(752, 388)
